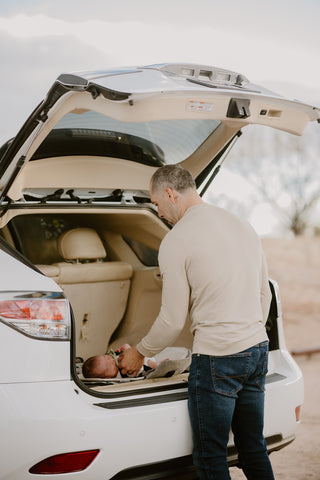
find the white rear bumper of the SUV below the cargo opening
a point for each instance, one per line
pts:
(42, 419)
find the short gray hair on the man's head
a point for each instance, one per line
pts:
(172, 176)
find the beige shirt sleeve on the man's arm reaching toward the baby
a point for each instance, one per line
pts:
(175, 298)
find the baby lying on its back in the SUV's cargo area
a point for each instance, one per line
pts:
(106, 366)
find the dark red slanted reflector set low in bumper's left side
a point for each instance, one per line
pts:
(65, 463)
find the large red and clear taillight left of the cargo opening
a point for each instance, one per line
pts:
(39, 314)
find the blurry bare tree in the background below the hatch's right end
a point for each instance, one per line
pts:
(285, 171)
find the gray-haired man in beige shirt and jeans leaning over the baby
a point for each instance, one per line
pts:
(213, 268)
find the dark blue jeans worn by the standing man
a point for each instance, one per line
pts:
(227, 392)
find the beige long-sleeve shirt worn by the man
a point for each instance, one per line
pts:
(213, 267)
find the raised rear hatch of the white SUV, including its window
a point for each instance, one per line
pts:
(144, 117)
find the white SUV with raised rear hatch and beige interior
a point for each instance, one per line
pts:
(78, 251)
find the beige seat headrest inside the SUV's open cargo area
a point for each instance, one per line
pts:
(81, 244)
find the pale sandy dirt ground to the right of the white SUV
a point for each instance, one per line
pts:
(295, 265)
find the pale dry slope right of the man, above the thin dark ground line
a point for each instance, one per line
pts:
(295, 265)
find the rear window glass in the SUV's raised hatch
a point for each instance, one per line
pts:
(152, 143)
